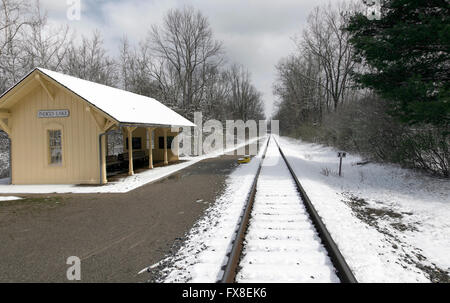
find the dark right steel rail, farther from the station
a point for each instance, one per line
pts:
(343, 270)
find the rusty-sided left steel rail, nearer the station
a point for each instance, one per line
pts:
(230, 269)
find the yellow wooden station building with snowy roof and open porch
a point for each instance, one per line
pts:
(58, 126)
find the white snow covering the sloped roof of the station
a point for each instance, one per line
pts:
(125, 107)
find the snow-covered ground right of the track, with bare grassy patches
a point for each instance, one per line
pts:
(391, 224)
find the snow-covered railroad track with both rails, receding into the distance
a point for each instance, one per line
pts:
(280, 237)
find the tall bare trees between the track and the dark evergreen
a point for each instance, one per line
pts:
(316, 79)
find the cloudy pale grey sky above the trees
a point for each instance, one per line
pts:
(255, 33)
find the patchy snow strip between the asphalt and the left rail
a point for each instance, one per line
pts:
(201, 257)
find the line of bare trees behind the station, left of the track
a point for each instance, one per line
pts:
(178, 62)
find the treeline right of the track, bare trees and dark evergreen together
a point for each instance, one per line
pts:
(376, 86)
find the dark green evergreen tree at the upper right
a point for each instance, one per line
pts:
(406, 52)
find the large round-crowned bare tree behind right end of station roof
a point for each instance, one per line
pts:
(186, 51)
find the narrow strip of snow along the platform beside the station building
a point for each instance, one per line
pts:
(122, 186)
